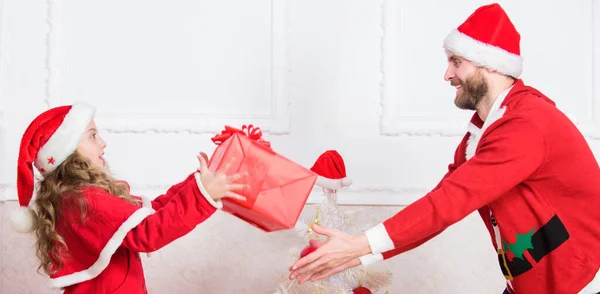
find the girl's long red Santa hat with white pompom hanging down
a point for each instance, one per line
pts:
(48, 141)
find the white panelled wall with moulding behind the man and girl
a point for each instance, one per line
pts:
(165, 77)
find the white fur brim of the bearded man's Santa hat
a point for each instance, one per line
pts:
(484, 55)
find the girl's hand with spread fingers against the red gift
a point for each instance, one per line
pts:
(218, 185)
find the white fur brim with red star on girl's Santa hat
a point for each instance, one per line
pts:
(65, 139)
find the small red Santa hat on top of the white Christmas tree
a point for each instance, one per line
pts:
(331, 170)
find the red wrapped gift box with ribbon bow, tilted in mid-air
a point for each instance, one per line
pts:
(278, 187)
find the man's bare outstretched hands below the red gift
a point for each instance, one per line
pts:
(338, 253)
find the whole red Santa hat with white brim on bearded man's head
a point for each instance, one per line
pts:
(488, 39)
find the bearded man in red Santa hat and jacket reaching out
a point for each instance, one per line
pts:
(523, 165)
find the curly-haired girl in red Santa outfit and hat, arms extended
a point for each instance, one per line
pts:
(89, 228)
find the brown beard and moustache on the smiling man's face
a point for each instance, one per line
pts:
(474, 88)
